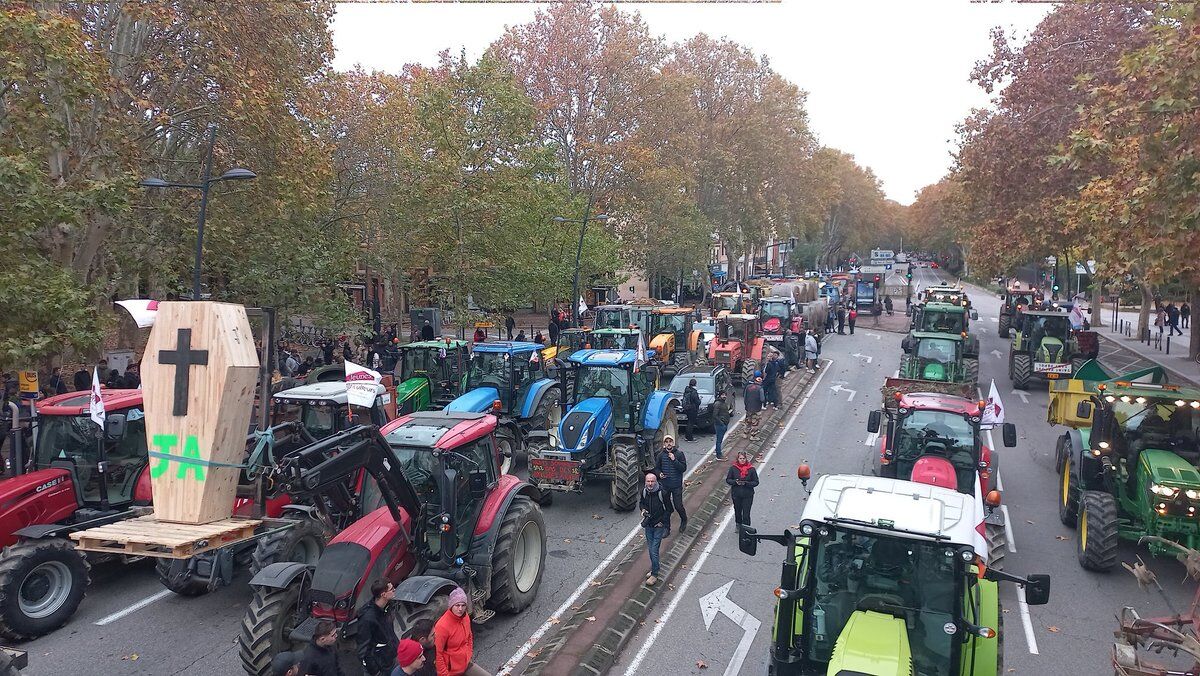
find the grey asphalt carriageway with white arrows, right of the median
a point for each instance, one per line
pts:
(1072, 635)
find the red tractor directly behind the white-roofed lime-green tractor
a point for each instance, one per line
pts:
(935, 439)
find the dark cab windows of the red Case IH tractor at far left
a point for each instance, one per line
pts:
(74, 439)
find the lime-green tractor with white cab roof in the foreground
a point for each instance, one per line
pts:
(887, 578)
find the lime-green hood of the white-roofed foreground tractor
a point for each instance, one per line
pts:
(873, 643)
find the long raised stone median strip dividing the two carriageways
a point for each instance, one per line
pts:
(625, 620)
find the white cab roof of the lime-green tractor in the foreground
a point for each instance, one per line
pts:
(895, 506)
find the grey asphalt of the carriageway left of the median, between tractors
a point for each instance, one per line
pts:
(130, 625)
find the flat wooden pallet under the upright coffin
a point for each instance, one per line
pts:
(146, 536)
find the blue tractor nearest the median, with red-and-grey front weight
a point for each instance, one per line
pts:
(614, 427)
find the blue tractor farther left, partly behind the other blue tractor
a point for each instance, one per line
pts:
(509, 381)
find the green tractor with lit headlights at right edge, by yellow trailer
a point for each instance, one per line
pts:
(1127, 469)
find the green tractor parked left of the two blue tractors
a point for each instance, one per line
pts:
(431, 374)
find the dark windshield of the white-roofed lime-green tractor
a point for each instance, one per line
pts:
(910, 579)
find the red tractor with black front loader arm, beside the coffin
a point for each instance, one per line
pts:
(449, 518)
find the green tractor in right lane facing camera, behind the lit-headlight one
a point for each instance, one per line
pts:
(1046, 346)
